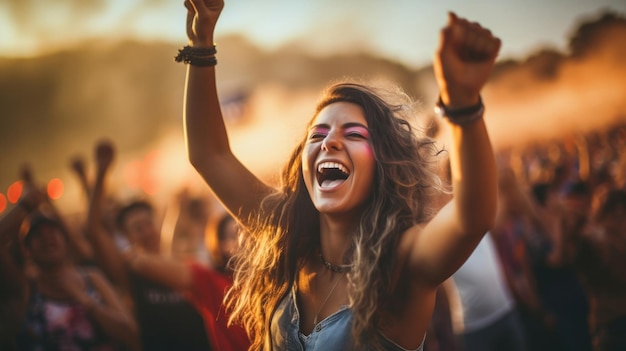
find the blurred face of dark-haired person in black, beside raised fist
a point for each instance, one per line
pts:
(141, 230)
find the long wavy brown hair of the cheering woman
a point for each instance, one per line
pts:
(286, 231)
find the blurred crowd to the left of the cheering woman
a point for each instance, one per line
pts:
(107, 281)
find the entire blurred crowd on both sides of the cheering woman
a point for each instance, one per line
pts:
(553, 262)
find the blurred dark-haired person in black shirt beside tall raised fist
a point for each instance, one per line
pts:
(166, 319)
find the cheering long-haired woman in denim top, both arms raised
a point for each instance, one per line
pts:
(345, 254)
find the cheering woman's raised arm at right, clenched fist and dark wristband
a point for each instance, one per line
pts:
(463, 63)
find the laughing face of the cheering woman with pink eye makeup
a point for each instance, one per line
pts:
(338, 159)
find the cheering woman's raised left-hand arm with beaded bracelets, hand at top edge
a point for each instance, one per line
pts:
(205, 133)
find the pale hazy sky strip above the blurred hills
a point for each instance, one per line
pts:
(404, 30)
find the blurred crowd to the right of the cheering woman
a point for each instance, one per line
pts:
(560, 245)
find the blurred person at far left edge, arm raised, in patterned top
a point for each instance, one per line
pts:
(63, 306)
